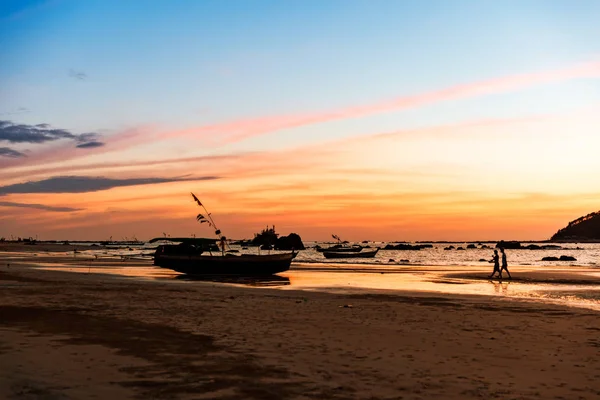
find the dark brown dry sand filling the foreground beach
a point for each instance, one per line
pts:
(85, 336)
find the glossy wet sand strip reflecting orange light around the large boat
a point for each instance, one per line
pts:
(576, 286)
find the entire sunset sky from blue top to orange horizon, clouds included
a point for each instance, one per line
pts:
(373, 120)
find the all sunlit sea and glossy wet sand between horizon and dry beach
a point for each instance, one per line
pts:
(444, 268)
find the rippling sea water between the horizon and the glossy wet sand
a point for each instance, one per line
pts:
(586, 254)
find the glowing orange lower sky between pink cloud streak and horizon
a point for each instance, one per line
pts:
(476, 180)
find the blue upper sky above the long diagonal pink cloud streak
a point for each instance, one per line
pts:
(183, 63)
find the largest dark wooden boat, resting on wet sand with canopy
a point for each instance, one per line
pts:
(192, 260)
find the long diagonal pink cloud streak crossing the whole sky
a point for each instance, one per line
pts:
(240, 130)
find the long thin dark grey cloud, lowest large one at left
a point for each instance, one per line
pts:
(82, 184)
